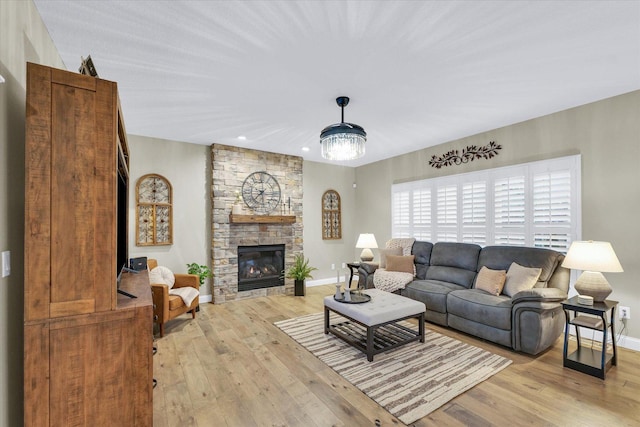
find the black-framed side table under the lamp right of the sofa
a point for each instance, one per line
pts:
(589, 360)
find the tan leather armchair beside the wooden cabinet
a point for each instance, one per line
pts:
(167, 306)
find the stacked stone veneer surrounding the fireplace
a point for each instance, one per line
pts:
(230, 167)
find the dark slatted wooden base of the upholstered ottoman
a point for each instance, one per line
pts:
(374, 339)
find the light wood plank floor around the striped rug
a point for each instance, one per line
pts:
(232, 367)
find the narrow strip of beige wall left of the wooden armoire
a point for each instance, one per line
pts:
(23, 37)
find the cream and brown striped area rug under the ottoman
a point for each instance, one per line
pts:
(411, 381)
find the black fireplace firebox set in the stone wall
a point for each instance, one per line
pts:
(260, 267)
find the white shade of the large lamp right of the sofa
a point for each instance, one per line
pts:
(592, 256)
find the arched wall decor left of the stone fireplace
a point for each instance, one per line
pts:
(154, 213)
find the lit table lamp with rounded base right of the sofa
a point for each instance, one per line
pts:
(592, 258)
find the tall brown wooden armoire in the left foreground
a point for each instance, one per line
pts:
(87, 349)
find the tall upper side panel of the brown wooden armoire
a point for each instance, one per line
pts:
(70, 194)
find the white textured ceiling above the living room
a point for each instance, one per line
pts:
(419, 73)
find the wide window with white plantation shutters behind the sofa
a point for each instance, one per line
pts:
(533, 204)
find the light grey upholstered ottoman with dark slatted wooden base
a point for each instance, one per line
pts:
(373, 326)
